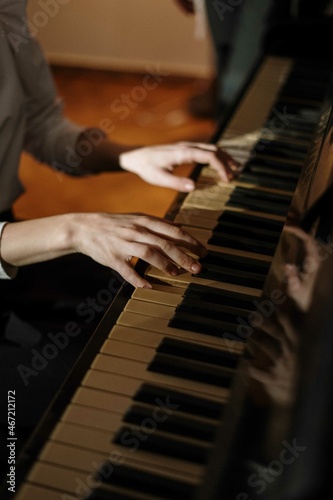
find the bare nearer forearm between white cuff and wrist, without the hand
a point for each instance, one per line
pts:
(38, 240)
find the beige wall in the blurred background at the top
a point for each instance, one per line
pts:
(120, 35)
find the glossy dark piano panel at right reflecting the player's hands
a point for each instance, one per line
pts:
(279, 418)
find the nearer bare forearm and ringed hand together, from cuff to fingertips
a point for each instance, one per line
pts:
(110, 239)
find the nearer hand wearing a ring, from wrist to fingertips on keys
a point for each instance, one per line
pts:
(114, 239)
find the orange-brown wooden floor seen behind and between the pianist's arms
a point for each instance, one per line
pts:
(151, 117)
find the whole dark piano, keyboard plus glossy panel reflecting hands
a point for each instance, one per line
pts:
(216, 386)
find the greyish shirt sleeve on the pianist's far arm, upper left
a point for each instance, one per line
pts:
(50, 136)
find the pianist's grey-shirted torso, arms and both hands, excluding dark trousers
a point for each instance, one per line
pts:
(32, 120)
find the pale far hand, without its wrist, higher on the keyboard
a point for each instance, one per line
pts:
(155, 164)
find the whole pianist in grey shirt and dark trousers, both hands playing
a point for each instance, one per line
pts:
(54, 289)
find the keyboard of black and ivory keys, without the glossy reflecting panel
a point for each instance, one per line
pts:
(142, 422)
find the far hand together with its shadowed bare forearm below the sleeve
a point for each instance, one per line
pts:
(154, 164)
